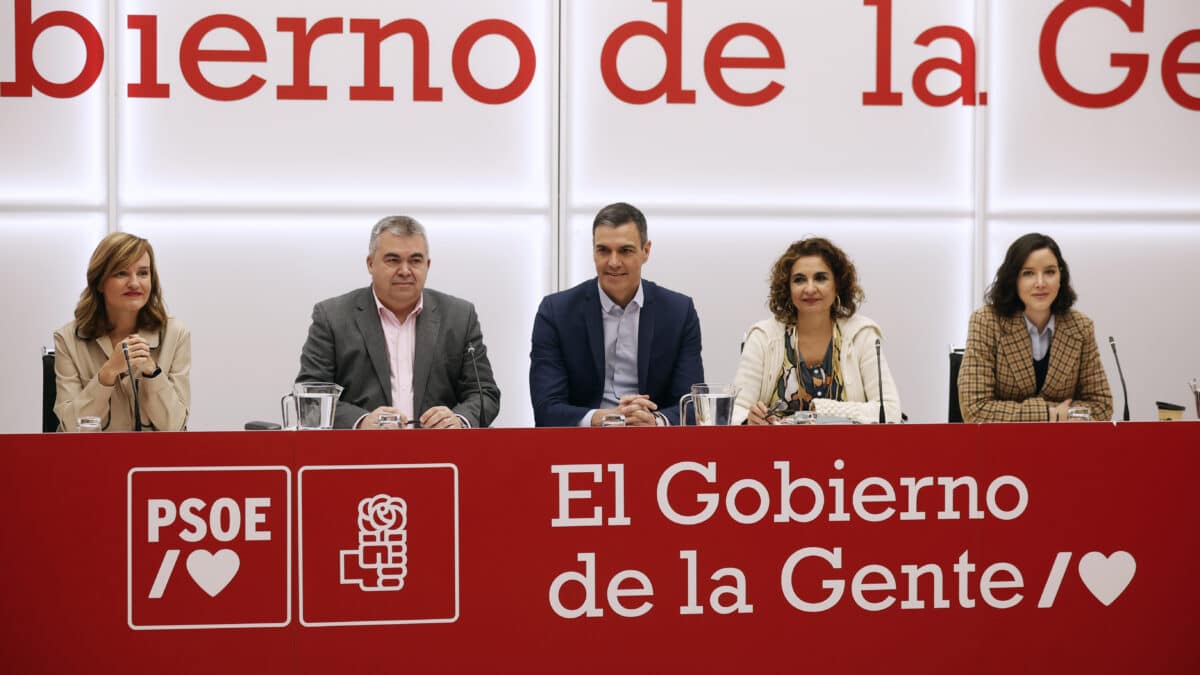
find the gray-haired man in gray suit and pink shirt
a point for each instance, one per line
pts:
(400, 348)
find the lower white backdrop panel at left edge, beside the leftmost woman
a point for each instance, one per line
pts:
(44, 265)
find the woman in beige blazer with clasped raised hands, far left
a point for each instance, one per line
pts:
(122, 310)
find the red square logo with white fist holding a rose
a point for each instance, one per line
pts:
(379, 545)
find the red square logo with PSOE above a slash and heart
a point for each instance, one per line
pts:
(209, 547)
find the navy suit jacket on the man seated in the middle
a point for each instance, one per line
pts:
(567, 362)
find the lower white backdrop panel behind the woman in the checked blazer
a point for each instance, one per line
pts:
(1137, 282)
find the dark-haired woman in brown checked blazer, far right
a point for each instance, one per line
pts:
(1030, 357)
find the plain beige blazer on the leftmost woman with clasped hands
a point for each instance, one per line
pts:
(165, 401)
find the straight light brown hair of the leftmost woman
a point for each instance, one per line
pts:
(116, 253)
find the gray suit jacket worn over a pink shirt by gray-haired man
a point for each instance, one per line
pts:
(346, 347)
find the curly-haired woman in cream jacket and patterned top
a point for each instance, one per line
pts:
(817, 354)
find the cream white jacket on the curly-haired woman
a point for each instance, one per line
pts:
(763, 357)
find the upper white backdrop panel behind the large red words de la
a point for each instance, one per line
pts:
(814, 146)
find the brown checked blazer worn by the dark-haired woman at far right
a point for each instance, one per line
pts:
(997, 381)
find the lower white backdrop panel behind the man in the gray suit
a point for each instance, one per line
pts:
(247, 286)
